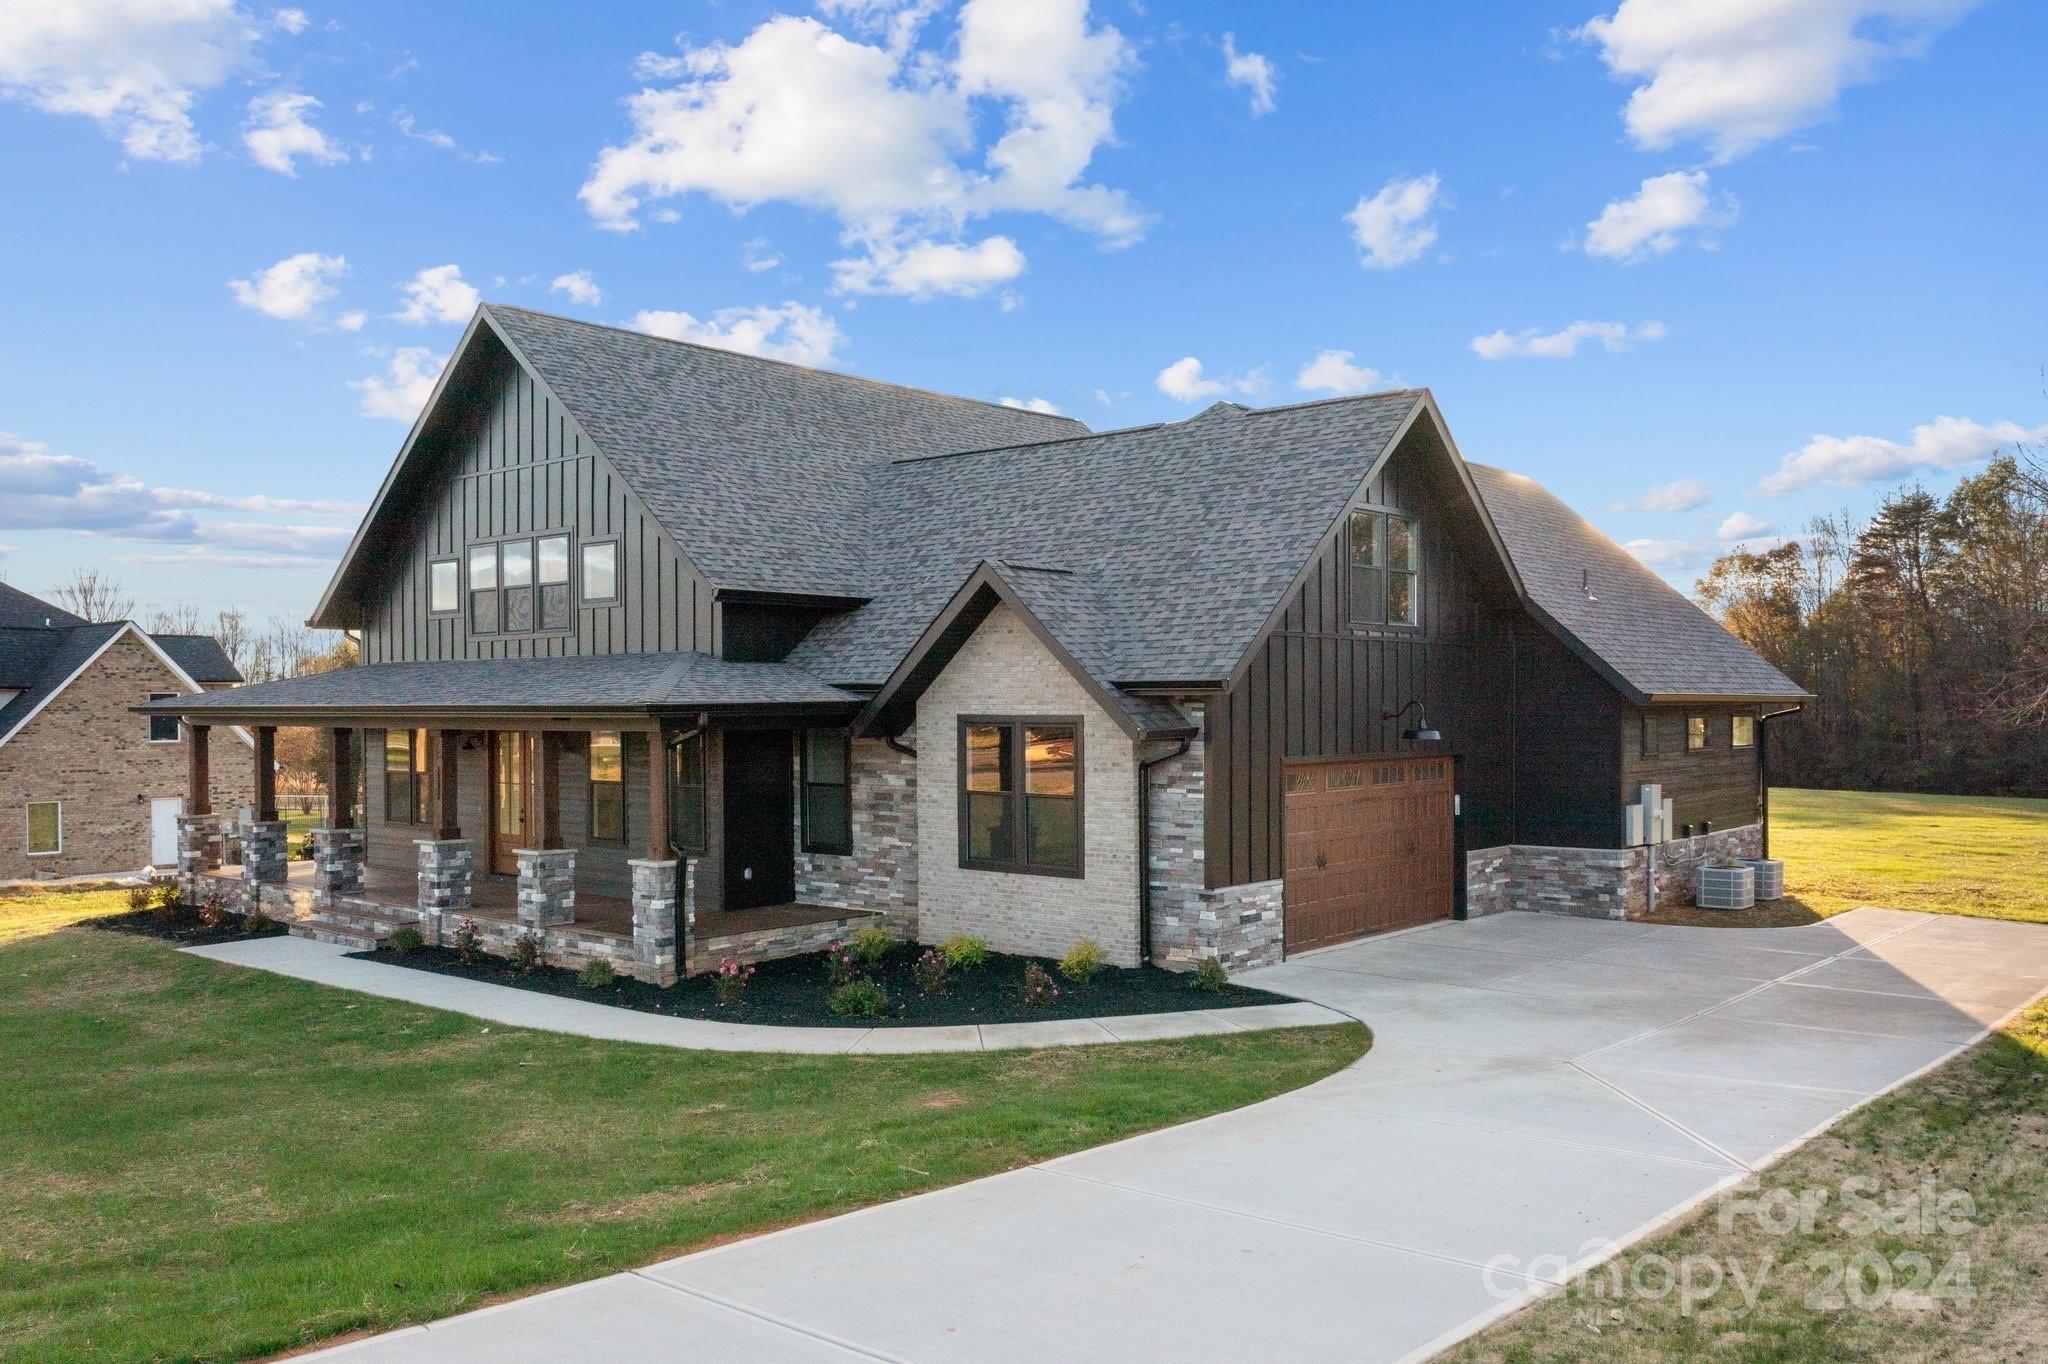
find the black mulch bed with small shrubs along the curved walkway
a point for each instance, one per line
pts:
(792, 992)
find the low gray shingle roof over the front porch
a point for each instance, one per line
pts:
(599, 683)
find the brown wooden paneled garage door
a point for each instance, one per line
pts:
(1369, 849)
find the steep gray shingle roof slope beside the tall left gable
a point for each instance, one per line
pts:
(724, 445)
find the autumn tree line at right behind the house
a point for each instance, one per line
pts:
(1922, 634)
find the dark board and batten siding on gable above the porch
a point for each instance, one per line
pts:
(521, 466)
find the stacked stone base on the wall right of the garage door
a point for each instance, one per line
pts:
(1603, 884)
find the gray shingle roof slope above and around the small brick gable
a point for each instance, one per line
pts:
(1177, 542)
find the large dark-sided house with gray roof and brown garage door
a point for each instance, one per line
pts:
(675, 654)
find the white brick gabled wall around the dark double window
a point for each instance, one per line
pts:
(1005, 671)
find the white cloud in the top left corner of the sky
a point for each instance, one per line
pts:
(134, 67)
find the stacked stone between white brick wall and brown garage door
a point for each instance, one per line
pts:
(1236, 925)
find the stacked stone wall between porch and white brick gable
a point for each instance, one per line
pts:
(882, 873)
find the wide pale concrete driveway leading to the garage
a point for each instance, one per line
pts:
(1541, 1089)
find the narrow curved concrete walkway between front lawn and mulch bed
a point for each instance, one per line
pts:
(527, 1009)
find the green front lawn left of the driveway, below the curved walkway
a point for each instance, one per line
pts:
(204, 1162)
